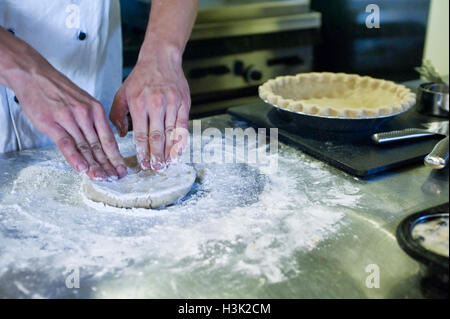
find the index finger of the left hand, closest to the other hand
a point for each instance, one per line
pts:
(109, 143)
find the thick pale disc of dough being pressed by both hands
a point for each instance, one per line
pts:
(142, 189)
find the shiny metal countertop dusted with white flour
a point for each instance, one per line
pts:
(306, 231)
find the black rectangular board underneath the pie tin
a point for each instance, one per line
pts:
(352, 152)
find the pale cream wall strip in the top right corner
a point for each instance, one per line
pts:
(437, 42)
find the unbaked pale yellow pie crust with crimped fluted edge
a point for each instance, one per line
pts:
(337, 95)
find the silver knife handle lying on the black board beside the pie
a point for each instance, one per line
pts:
(431, 128)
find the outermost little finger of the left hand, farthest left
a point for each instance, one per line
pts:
(67, 146)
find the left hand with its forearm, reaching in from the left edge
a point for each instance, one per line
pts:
(74, 120)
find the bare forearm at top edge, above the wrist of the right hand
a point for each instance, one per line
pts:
(169, 28)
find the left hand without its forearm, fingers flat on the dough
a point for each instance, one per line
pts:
(76, 122)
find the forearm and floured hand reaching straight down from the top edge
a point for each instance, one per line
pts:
(156, 93)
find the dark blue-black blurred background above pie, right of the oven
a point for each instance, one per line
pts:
(391, 51)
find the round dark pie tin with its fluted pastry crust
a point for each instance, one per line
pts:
(346, 119)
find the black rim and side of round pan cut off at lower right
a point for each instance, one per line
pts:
(433, 266)
